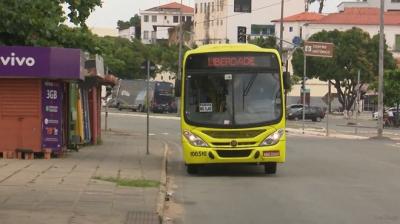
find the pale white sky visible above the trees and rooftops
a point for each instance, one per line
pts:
(114, 10)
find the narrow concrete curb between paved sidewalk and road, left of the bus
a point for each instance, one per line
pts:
(163, 185)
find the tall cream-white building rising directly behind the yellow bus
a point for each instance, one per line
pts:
(231, 21)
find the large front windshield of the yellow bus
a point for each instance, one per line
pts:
(233, 100)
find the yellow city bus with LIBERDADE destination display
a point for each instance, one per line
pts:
(233, 106)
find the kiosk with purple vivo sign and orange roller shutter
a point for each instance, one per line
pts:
(34, 97)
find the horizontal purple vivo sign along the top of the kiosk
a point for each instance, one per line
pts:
(40, 62)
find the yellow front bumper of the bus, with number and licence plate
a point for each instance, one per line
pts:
(256, 155)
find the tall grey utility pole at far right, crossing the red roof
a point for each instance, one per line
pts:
(380, 85)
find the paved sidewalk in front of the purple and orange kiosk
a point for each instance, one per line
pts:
(64, 191)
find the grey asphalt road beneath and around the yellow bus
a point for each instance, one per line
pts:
(324, 180)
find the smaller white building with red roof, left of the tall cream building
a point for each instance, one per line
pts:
(156, 21)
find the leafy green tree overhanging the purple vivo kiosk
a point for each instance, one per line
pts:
(40, 23)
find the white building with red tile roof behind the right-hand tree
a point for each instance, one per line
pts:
(366, 18)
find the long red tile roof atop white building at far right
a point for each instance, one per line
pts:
(360, 16)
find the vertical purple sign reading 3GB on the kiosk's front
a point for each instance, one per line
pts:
(52, 115)
